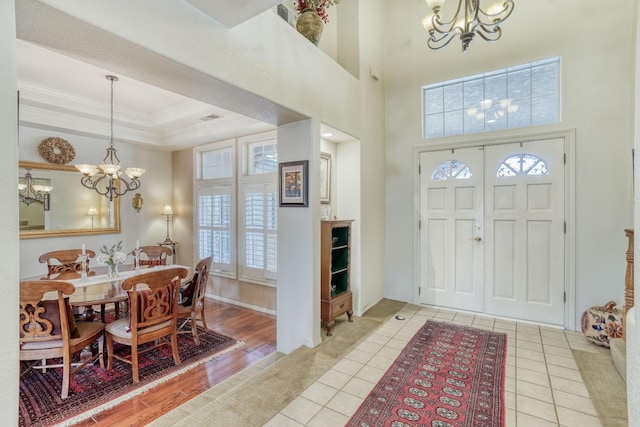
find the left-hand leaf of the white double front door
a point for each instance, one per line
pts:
(451, 228)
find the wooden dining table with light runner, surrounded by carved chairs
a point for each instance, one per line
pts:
(99, 289)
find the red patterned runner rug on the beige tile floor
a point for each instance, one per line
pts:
(447, 376)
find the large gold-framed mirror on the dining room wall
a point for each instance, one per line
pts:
(70, 209)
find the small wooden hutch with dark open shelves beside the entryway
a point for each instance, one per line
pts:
(335, 287)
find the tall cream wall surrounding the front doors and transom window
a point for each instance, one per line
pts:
(596, 101)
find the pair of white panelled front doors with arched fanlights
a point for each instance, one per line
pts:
(492, 229)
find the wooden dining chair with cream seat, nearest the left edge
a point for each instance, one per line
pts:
(47, 329)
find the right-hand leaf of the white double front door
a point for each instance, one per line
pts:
(524, 230)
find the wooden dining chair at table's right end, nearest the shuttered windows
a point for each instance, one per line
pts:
(192, 301)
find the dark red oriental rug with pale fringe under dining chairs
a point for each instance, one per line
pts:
(94, 389)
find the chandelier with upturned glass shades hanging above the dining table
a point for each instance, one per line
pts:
(107, 180)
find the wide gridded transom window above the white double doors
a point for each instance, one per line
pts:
(512, 97)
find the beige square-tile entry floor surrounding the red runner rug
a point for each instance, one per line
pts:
(543, 384)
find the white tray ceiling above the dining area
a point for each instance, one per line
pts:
(60, 93)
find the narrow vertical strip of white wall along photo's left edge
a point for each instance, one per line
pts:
(9, 213)
